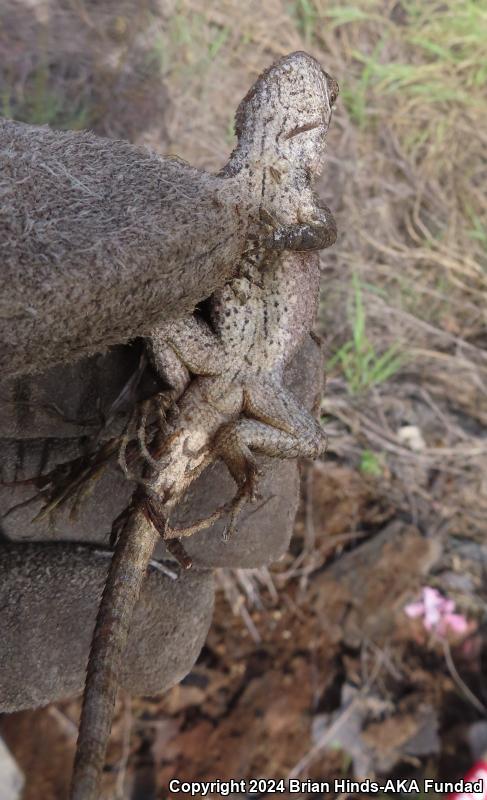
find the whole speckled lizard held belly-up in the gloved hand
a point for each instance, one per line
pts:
(235, 405)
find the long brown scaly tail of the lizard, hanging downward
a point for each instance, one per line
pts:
(122, 589)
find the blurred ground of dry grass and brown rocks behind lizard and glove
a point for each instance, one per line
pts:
(364, 651)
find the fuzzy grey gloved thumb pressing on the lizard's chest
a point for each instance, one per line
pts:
(100, 241)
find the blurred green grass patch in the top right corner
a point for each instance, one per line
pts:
(431, 59)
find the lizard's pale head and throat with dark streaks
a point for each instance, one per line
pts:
(282, 121)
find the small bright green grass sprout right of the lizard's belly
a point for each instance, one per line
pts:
(361, 365)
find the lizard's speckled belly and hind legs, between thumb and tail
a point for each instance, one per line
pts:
(238, 404)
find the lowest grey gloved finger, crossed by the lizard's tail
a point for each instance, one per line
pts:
(49, 595)
